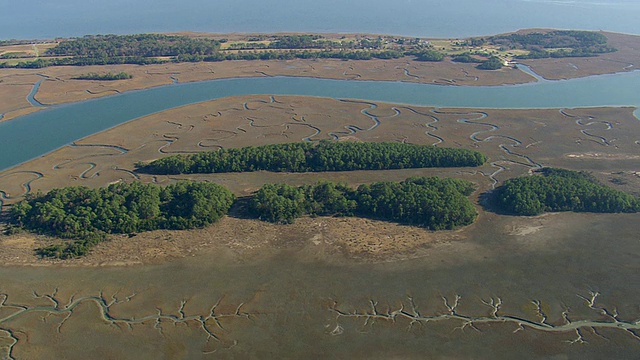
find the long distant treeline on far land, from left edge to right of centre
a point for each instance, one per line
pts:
(146, 49)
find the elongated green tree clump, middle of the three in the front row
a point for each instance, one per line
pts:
(427, 202)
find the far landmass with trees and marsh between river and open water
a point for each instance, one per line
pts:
(76, 69)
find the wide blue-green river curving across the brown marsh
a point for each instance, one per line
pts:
(33, 135)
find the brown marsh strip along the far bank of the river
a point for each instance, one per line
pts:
(59, 85)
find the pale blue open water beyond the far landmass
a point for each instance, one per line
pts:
(431, 18)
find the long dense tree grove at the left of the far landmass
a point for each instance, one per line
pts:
(141, 45)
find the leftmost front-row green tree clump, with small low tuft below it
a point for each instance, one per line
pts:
(86, 215)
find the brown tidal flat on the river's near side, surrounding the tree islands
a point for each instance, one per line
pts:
(557, 285)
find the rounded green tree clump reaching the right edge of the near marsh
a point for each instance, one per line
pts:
(561, 190)
